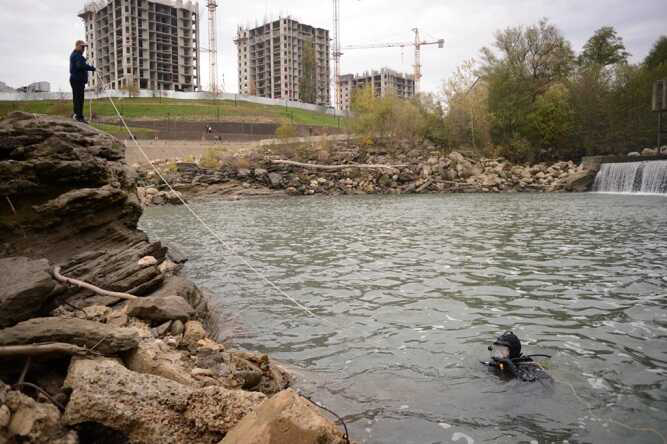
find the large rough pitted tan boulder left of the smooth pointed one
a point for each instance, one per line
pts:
(148, 408)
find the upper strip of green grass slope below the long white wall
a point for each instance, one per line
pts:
(190, 110)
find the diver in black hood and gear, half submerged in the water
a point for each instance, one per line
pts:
(507, 359)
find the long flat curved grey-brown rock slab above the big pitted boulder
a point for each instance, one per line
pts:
(105, 338)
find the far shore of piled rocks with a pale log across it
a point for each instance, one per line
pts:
(348, 168)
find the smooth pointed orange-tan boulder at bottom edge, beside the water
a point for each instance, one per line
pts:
(285, 418)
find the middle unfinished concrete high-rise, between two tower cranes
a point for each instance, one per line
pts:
(284, 59)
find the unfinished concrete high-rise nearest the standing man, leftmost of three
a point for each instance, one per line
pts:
(151, 44)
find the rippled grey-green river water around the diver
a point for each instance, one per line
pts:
(411, 290)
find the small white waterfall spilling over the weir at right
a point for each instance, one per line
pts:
(633, 177)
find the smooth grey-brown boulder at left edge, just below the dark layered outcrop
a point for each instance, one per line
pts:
(25, 287)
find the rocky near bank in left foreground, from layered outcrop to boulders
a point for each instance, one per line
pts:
(141, 364)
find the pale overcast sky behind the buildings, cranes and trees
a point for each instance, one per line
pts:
(36, 36)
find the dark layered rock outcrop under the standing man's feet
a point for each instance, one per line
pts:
(54, 169)
